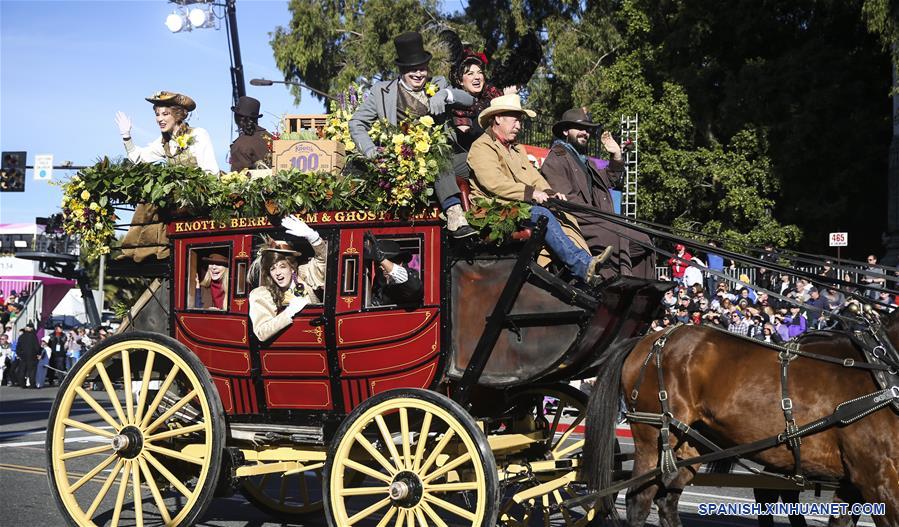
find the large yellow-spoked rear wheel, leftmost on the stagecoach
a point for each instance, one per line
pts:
(145, 445)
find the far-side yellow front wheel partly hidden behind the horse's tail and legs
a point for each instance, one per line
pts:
(559, 409)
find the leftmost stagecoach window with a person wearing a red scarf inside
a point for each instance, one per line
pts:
(208, 277)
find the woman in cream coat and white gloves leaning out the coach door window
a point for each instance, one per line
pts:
(285, 286)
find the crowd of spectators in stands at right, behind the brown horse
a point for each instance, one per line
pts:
(703, 299)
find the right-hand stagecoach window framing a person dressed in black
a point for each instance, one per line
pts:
(381, 291)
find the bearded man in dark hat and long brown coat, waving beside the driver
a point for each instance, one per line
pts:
(569, 172)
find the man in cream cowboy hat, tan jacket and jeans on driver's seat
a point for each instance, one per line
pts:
(502, 170)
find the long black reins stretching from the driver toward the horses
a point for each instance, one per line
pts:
(640, 226)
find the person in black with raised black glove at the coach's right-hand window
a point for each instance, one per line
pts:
(397, 283)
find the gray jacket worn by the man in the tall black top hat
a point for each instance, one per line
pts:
(381, 104)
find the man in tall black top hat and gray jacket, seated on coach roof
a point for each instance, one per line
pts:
(405, 98)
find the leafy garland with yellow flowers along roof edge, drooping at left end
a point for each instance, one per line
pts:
(89, 196)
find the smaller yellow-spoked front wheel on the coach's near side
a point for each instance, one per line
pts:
(410, 458)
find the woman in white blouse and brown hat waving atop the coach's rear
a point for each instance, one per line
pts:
(178, 144)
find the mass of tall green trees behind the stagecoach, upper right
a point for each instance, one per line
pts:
(756, 119)
